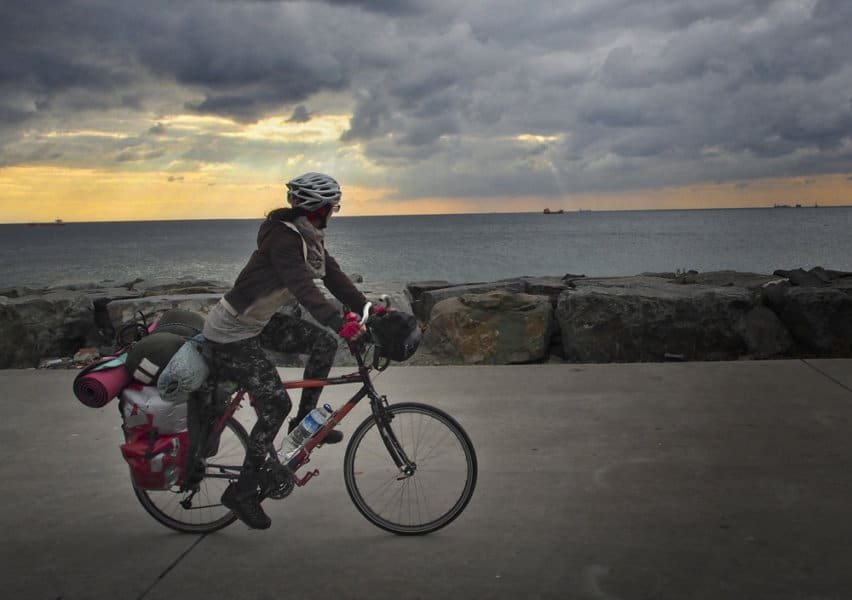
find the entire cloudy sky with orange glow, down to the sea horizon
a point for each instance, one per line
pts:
(421, 105)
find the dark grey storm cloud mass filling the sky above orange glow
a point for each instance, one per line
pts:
(449, 95)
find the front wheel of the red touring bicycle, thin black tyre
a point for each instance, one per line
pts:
(436, 492)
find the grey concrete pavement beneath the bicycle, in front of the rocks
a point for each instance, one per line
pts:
(665, 481)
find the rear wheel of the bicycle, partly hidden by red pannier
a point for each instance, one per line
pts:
(201, 510)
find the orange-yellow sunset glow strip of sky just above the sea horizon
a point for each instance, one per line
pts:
(46, 193)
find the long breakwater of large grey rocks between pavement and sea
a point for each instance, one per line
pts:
(721, 315)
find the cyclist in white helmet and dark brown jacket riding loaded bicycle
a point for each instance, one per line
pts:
(290, 255)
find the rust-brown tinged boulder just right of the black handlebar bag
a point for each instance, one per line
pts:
(497, 327)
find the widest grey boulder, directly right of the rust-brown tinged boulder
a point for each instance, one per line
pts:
(642, 318)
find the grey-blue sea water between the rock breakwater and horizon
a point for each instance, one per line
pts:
(456, 248)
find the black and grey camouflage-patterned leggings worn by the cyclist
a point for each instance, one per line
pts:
(246, 363)
